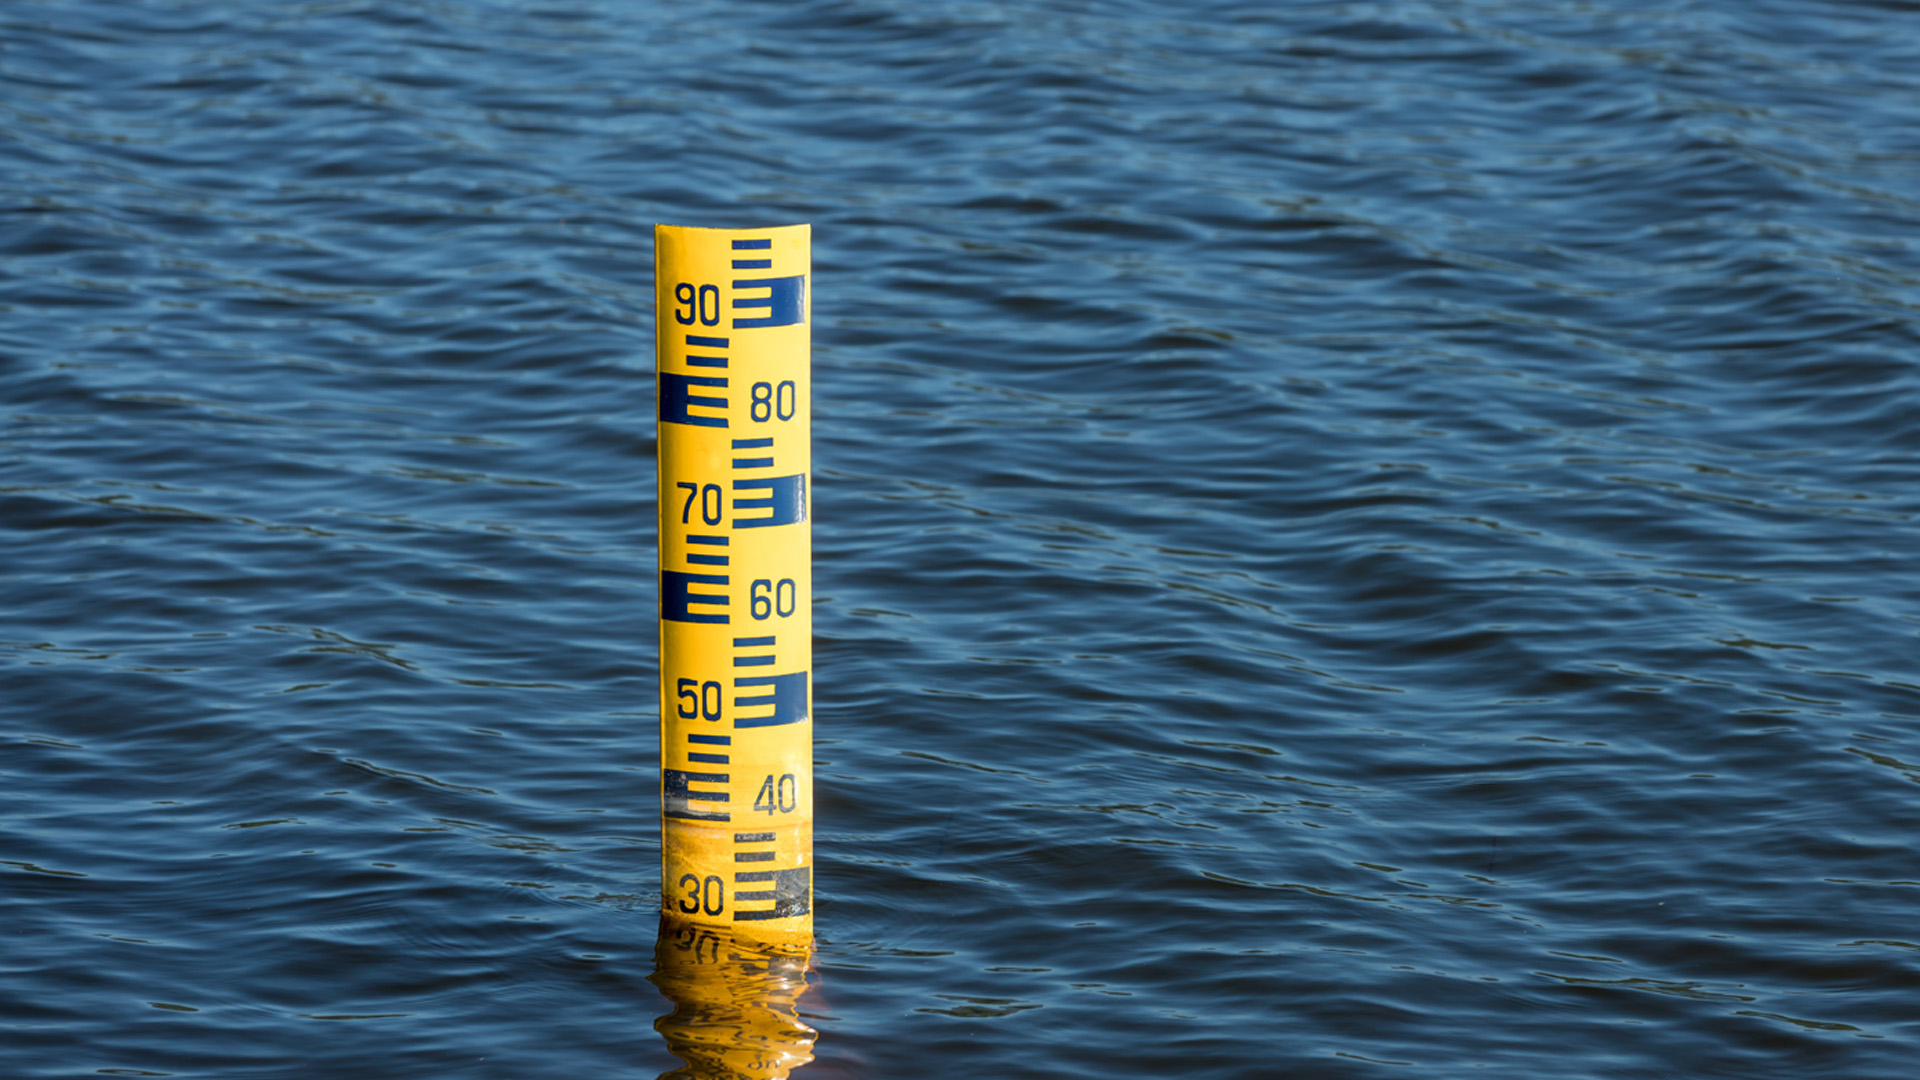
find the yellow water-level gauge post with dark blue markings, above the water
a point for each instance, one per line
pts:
(734, 395)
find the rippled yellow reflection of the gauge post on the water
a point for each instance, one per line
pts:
(736, 1006)
